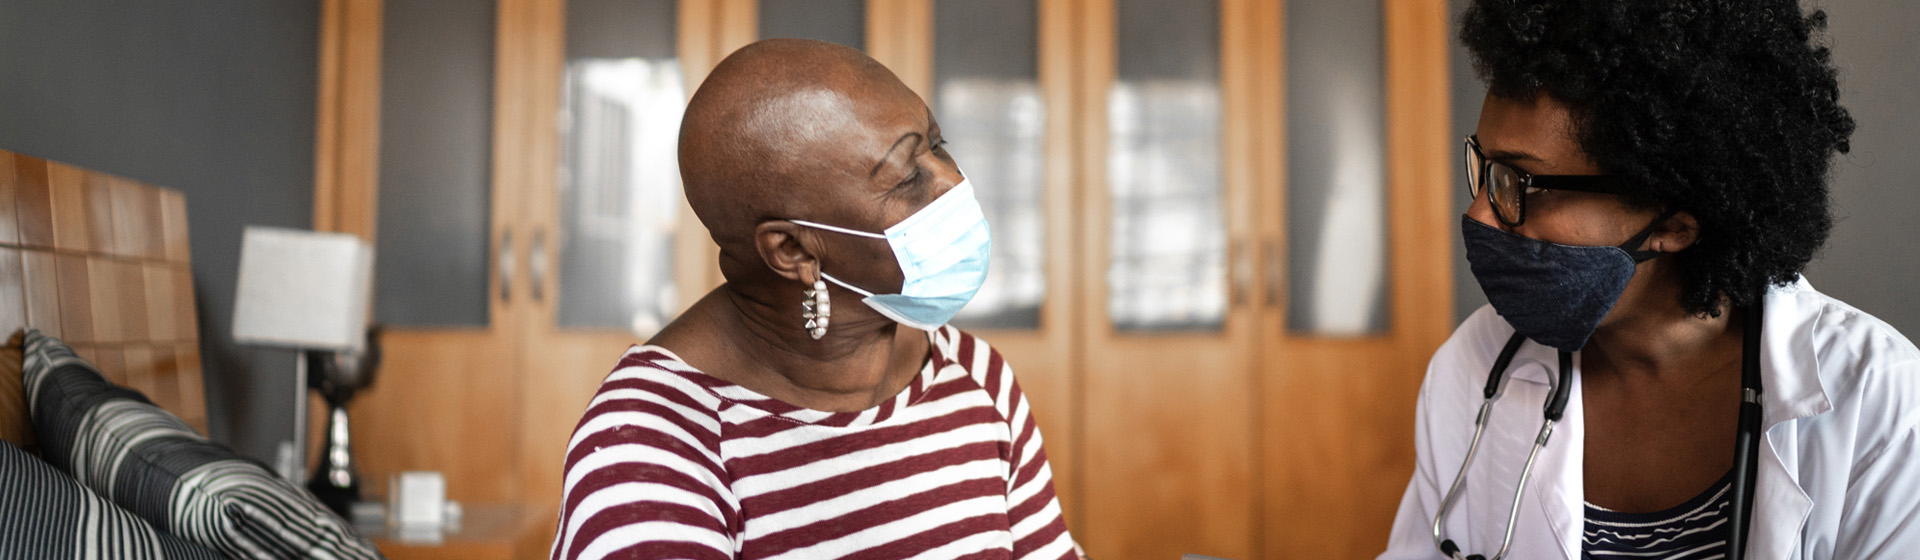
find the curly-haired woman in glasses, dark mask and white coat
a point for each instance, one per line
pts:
(1654, 379)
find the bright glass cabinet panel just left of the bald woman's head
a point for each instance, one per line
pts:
(619, 181)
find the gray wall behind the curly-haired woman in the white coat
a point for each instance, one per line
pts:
(1873, 260)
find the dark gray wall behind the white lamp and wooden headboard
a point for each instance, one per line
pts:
(212, 99)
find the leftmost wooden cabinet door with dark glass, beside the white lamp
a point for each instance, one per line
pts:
(412, 156)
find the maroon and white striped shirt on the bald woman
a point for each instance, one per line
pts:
(671, 463)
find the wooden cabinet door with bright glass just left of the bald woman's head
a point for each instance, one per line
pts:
(615, 252)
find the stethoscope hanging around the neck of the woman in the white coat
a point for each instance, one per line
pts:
(1746, 444)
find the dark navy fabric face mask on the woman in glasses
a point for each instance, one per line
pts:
(1552, 294)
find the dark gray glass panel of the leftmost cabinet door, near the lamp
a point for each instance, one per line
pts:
(437, 143)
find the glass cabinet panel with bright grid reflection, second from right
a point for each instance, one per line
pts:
(1168, 241)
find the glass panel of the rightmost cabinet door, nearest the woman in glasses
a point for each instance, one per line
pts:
(1337, 168)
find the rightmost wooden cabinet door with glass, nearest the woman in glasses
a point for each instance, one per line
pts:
(1356, 262)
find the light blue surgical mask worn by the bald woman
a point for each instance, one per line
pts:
(944, 254)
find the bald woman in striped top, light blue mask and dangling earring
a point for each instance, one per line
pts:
(817, 406)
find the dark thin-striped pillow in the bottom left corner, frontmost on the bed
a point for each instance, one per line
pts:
(49, 515)
